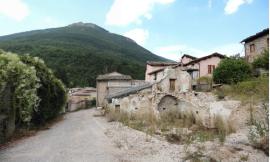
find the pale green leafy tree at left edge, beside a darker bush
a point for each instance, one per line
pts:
(23, 84)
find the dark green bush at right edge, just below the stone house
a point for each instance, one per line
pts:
(262, 61)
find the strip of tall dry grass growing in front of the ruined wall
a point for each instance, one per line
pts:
(168, 121)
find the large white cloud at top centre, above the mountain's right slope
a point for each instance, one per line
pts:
(124, 12)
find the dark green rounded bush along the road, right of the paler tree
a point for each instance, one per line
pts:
(51, 92)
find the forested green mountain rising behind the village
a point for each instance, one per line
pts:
(77, 53)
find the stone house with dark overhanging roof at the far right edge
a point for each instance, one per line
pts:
(256, 44)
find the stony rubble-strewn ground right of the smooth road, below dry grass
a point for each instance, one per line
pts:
(137, 146)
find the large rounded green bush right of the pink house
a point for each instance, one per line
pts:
(232, 71)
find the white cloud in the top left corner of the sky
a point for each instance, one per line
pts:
(15, 9)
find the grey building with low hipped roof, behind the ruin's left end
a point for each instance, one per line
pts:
(111, 83)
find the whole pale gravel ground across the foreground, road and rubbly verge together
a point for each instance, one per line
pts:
(86, 136)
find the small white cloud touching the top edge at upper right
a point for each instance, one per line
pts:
(233, 5)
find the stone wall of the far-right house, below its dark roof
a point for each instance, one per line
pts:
(260, 45)
